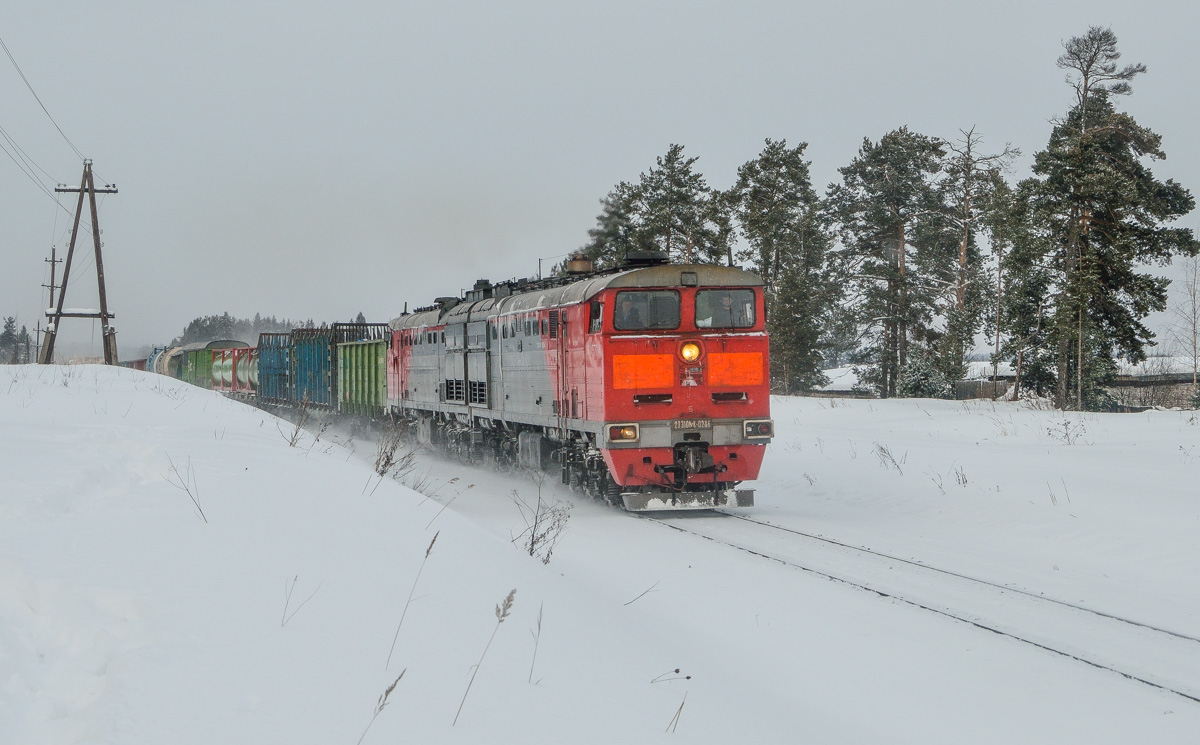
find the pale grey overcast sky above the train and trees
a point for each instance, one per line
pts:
(314, 160)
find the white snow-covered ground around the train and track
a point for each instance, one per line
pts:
(127, 617)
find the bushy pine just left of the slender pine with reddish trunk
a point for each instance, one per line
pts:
(886, 203)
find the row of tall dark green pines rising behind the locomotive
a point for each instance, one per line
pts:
(925, 247)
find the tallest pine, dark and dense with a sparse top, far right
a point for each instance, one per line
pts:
(1101, 213)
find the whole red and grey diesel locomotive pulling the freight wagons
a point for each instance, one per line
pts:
(647, 386)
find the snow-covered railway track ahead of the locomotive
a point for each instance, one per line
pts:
(1144, 653)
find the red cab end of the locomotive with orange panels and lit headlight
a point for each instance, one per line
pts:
(687, 387)
